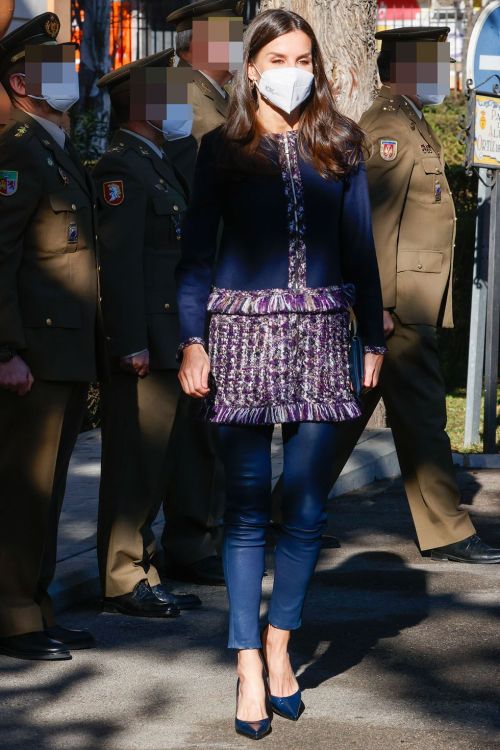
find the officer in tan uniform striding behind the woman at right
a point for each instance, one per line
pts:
(414, 229)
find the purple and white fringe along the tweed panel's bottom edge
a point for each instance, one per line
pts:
(304, 412)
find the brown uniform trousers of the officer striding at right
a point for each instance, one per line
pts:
(413, 389)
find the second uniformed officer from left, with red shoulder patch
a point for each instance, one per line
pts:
(142, 198)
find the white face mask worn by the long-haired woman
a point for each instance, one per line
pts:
(286, 88)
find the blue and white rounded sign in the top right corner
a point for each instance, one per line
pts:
(483, 59)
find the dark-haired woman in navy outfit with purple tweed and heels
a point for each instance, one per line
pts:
(286, 176)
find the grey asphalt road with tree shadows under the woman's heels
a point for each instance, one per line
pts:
(395, 652)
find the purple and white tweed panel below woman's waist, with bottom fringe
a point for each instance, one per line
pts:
(278, 367)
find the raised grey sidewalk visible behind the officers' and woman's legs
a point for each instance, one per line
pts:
(76, 575)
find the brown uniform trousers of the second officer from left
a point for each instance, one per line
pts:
(136, 473)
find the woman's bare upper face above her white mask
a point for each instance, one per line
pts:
(292, 50)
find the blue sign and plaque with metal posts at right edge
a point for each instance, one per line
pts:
(483, 152)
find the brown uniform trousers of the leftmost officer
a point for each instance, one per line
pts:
(38, 432)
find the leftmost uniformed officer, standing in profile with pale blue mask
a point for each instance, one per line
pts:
(48, 340)
